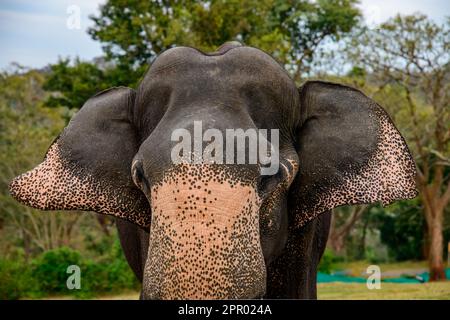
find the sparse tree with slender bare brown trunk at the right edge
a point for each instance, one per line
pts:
(411, 55)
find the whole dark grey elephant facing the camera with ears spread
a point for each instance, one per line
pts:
(219, 230)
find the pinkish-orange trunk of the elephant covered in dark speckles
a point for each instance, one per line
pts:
(204, 239)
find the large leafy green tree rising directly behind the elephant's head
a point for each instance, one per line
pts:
(134, 32)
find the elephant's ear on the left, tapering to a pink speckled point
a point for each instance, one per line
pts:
(88, 167)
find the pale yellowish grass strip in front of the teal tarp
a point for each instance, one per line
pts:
(388, 291)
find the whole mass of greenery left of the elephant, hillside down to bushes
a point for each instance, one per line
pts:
(34, 260)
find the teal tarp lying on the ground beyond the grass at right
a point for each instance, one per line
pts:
(422, 277)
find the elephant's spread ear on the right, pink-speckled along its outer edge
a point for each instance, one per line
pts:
(349, 152)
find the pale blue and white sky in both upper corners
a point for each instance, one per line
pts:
(36, 33)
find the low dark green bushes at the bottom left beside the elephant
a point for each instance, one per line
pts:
(47, 275)
